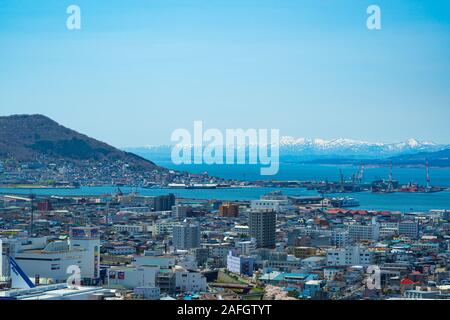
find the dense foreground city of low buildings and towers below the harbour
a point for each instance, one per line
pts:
(130, 246)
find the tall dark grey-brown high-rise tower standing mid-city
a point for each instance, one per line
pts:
(262, 227)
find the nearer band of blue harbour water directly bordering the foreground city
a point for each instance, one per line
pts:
(404, 202)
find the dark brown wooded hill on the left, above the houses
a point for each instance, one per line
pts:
(39, 138)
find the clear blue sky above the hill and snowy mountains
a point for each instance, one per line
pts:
(138, 69)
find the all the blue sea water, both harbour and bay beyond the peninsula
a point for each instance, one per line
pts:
(291, 171)
